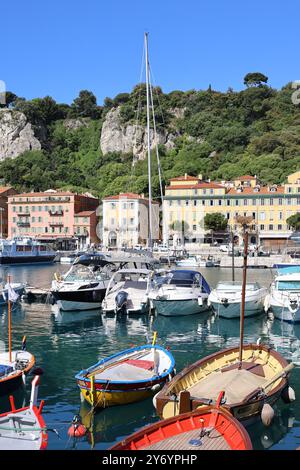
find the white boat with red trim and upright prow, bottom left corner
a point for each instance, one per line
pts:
(24, 428)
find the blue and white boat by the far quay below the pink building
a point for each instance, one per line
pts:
(21, 250)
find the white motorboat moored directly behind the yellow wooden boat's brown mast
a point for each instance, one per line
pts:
(227, 296)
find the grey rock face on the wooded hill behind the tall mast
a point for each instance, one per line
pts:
(118, 137)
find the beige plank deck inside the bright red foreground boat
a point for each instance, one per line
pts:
(213, 440)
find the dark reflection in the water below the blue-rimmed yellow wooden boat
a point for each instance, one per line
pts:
(110, 424)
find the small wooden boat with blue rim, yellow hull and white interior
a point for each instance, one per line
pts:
(126, 377)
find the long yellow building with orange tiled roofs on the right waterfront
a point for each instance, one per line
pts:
(188, 199)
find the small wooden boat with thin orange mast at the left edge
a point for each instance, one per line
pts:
(14, 365)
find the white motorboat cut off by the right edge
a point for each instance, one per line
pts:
(284, 297)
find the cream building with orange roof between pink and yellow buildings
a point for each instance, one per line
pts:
(126, 220)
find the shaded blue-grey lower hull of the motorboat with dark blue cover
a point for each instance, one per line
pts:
(176, 308)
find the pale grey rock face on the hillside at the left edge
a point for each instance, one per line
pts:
(16, 134)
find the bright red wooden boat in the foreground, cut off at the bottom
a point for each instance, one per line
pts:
(209, 428)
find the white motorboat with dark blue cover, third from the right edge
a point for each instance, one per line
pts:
(182, 292)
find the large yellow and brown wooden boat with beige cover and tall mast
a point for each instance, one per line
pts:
(261, 378)
